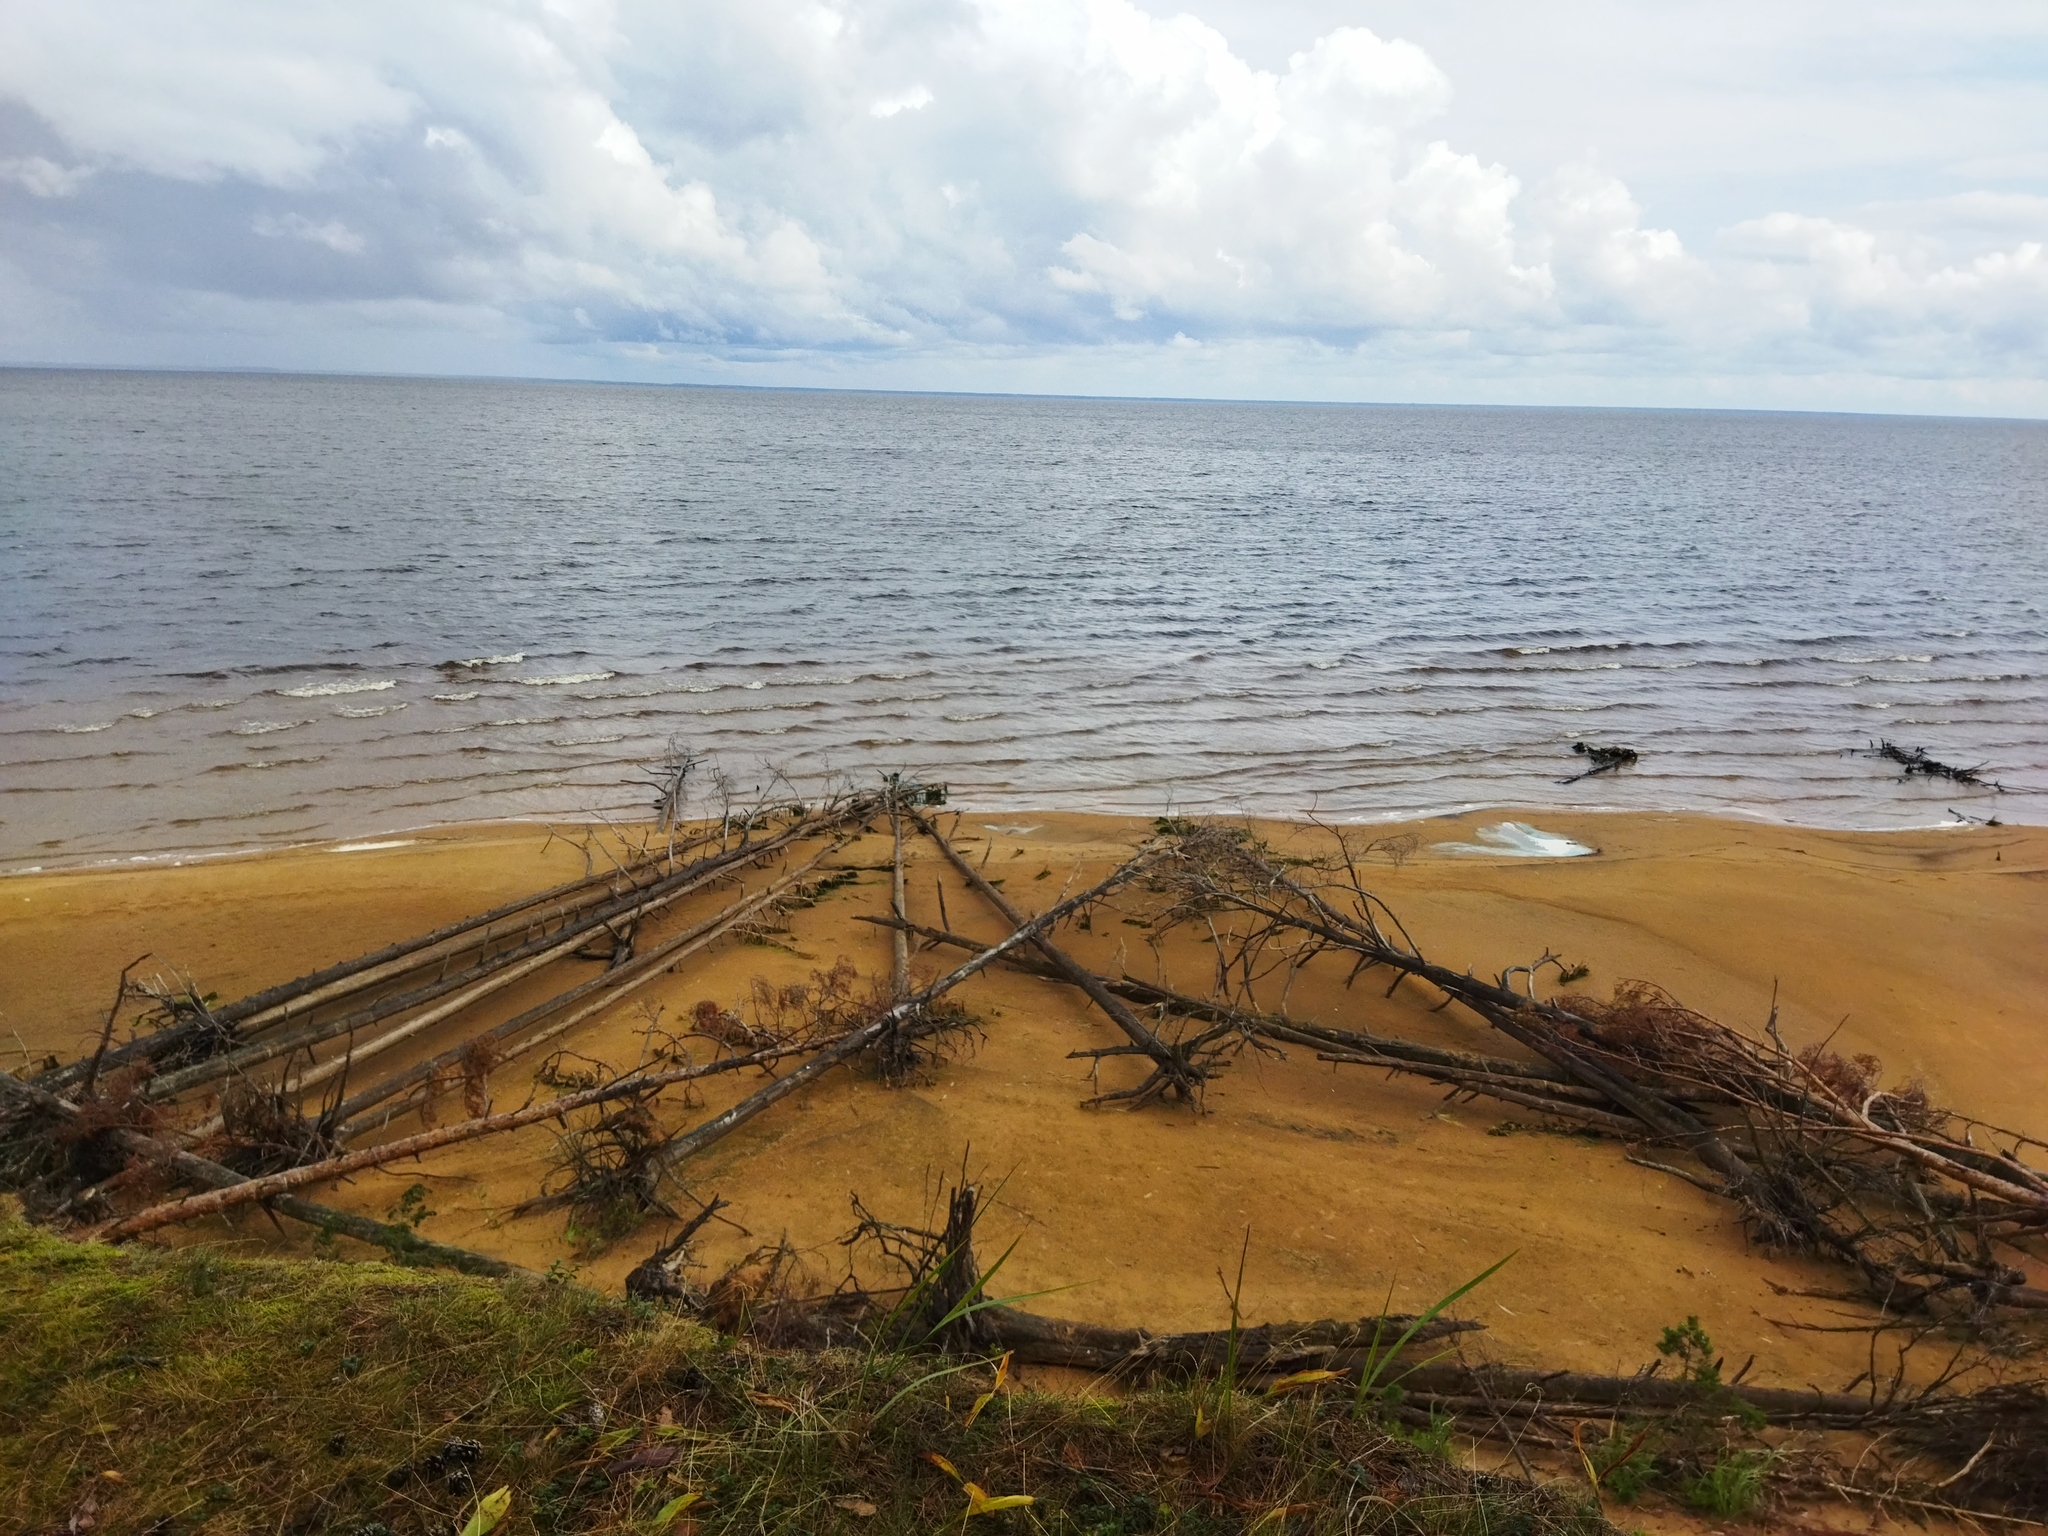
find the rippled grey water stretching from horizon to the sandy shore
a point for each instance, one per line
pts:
(247, 609)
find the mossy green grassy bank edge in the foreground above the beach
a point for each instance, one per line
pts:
(194, 1392)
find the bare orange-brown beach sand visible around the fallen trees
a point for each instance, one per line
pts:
(1920, 947)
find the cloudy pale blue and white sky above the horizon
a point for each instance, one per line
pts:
(1732, 204)
